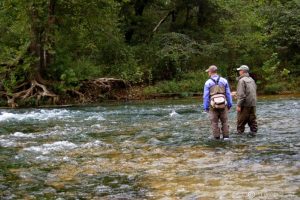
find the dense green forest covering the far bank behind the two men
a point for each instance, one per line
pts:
(55, 48)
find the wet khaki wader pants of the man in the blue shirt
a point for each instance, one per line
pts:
(219, 114)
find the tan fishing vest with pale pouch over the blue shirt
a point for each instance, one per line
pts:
(217, 95)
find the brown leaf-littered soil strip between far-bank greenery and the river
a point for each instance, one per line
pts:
(129, 94)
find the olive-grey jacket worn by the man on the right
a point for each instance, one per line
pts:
(246, 91)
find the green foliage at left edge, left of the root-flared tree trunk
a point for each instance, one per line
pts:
(14, 41)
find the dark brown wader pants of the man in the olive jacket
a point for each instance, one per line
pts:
(247, 116)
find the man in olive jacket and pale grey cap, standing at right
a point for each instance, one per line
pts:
(246, 102)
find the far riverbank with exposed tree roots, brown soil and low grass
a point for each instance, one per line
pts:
(99, 90)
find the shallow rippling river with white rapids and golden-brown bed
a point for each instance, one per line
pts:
(151, 150)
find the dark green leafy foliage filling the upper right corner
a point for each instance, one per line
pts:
(284, 32)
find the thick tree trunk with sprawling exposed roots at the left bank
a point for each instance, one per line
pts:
(34, 86)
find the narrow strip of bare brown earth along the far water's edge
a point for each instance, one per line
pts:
(136, 95)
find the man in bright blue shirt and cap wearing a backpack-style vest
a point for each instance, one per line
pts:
(217, 101)
